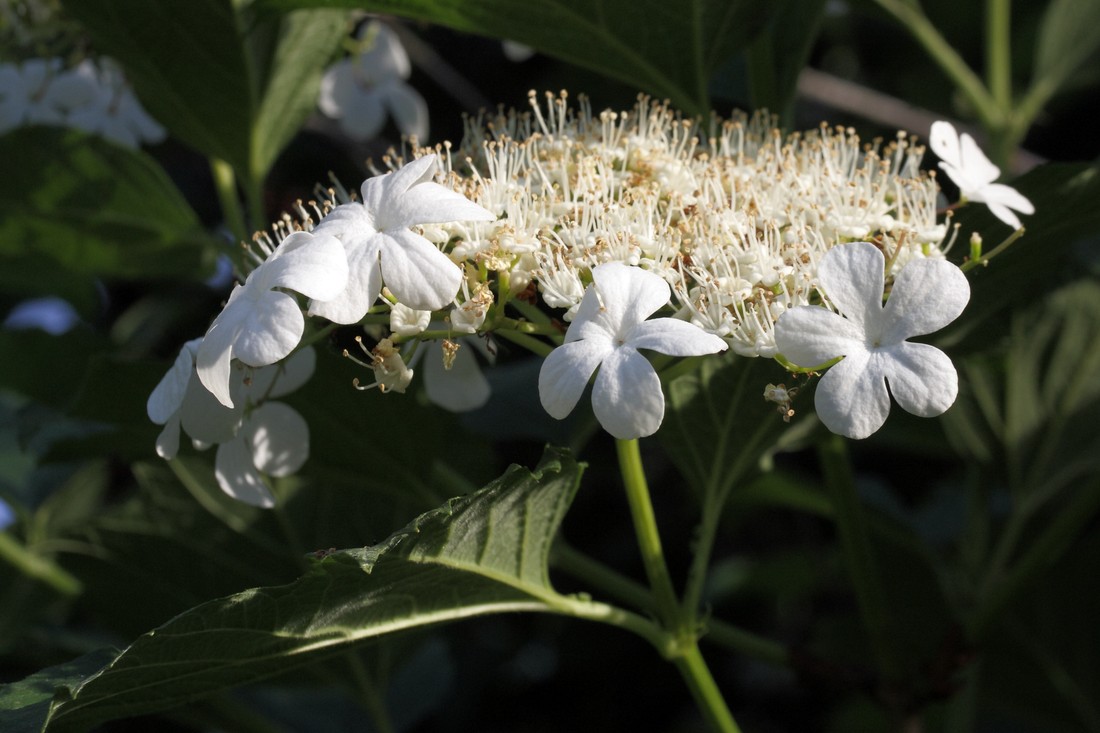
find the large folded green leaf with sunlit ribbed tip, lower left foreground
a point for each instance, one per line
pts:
(480, 554)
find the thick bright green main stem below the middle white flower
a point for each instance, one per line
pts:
(681, 628)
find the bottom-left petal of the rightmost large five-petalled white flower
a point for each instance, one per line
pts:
(852, 399)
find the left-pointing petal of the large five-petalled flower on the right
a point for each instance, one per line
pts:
(809, 336)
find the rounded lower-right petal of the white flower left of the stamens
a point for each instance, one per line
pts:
(417, 273)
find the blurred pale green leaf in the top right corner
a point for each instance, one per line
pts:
(1070, 38)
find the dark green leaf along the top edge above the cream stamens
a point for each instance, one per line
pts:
(667, 50)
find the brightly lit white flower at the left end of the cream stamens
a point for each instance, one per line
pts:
(381, 247)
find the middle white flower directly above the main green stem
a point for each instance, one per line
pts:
(609, 330)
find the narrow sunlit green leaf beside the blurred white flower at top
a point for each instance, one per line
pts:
(307, 43)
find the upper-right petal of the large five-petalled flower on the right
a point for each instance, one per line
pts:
(927, 296)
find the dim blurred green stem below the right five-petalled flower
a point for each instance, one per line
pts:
(860, 556)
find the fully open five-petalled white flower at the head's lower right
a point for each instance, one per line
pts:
(853, 398)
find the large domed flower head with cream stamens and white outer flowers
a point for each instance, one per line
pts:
(744, 239)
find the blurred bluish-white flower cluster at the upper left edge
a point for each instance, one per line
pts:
(92, 96)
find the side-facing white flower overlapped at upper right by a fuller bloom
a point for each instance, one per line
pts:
(261, 323)
